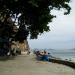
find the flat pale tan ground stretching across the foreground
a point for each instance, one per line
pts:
(27, 65)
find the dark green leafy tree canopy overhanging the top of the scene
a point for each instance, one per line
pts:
(35, 14)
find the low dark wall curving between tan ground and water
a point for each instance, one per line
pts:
(64, 62)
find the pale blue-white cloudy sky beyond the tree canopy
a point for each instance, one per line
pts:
(62, 34)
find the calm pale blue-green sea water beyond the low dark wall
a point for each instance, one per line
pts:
(63, 54)
